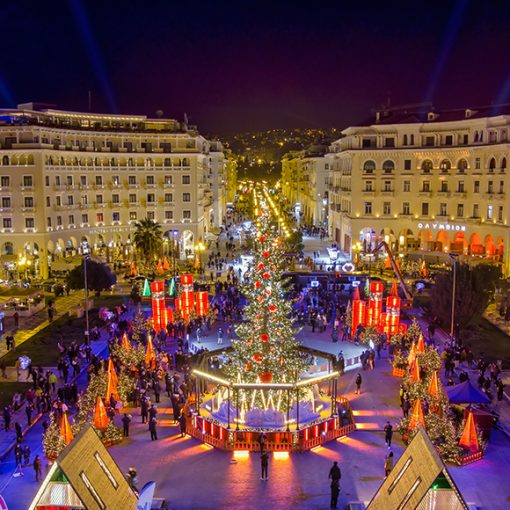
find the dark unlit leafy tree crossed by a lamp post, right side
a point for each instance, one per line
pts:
(474, 286)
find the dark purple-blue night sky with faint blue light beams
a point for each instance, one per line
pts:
(253, 65)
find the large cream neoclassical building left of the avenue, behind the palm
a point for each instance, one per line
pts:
(69, 178)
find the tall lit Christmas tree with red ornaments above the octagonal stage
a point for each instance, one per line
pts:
(266, 351)
